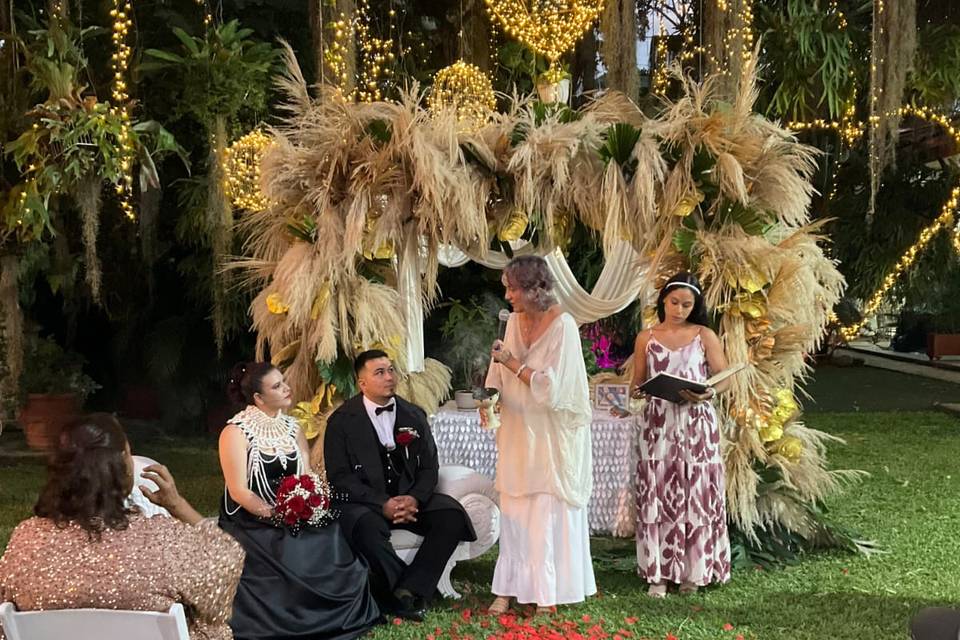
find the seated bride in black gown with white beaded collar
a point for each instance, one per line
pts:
(308, 585)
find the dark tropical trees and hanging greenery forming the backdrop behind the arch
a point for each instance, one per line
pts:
(117, 220)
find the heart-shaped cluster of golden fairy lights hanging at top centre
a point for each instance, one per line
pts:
(548, 27)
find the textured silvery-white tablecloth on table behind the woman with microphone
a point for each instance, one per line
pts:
(612, 508)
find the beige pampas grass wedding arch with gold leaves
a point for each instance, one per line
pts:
(709, 185)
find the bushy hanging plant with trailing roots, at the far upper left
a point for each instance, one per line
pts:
(72, 146)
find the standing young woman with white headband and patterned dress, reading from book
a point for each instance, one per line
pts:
(681, 515)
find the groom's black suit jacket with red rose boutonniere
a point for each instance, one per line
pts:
(354, 466)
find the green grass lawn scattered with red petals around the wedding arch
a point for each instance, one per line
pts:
(908, 505)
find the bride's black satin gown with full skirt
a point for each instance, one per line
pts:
(305, 587)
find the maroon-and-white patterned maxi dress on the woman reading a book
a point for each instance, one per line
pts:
(681, 516)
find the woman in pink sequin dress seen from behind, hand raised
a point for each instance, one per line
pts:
(86, 549)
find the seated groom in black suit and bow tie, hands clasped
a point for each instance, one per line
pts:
(379, 451)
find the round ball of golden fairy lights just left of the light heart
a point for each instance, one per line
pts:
(466, 88)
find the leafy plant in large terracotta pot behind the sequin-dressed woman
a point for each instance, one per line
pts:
(54, 389)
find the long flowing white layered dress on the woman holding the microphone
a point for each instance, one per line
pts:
(544, 469)
